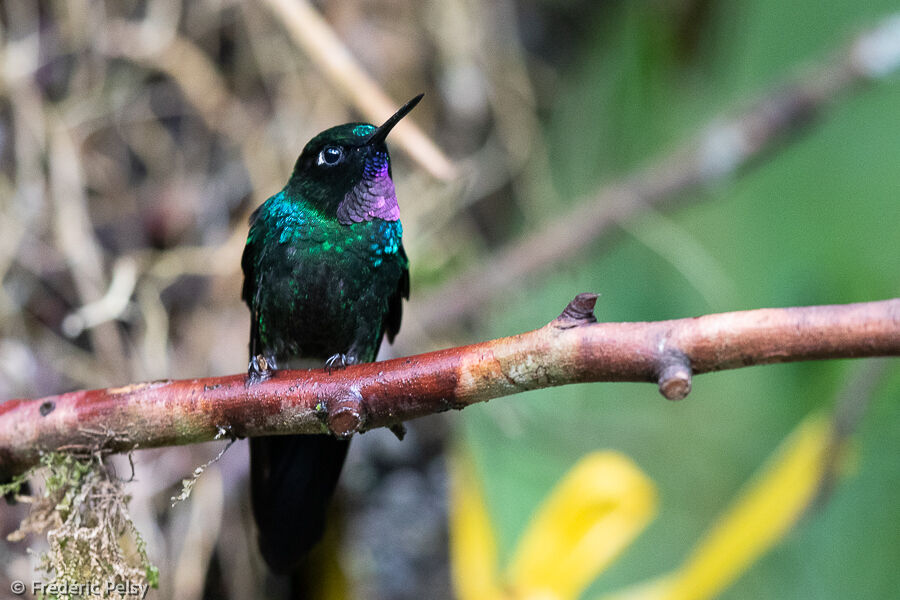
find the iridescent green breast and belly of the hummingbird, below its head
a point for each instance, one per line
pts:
(317, 287)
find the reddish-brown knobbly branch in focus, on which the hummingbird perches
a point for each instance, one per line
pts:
(570, 349)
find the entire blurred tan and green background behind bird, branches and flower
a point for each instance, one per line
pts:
(136, 137)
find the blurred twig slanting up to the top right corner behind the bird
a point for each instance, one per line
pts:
(726, 146)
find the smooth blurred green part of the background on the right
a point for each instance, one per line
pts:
(817, 222)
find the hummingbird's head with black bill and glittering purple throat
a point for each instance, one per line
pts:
(345, 171)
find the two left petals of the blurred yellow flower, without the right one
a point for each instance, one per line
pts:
(593, 514)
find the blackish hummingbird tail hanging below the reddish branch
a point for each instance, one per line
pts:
(292, 481)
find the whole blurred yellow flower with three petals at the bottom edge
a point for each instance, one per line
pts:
(601, 506)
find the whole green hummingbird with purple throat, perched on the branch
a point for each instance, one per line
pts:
(325, 274)
